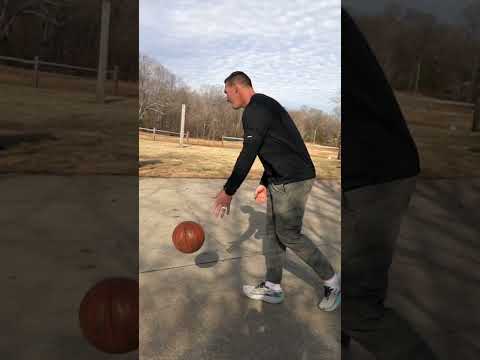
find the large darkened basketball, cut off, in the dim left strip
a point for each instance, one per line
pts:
(109, 315)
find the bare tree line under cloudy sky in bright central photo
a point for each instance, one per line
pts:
(209, 115)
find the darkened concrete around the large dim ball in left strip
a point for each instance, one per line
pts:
(59, 236)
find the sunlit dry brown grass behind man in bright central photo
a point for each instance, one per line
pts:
(209, 159)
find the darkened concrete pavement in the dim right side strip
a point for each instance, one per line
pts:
(434, 278)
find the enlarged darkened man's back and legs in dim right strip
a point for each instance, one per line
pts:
(379, 165)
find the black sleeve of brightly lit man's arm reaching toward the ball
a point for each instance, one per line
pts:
(256, 121)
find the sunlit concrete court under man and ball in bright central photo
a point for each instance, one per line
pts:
(191, 305)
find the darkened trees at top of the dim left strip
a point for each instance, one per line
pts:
(68, 31)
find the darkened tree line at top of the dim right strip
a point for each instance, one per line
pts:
(421, 54)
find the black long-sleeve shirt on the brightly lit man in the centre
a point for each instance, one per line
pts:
(270, 134)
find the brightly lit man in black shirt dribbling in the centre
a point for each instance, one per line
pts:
(270, 134)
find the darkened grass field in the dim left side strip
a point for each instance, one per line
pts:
(52, 131)
